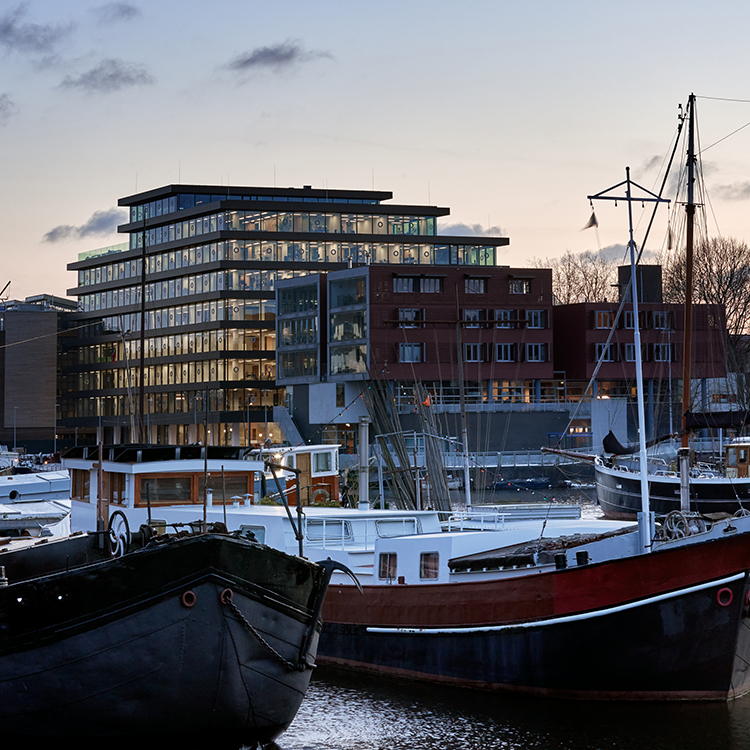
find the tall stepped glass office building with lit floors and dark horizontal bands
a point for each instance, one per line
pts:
(177, 329)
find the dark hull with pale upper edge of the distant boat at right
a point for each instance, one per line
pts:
(619, 493)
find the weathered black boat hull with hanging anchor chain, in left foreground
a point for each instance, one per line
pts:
(149, 644)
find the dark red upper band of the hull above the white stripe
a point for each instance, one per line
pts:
(538, 595)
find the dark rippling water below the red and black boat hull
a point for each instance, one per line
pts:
(347, 711)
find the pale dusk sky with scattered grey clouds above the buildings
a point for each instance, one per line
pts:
(509, 113)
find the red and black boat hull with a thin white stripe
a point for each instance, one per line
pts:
(643, 628)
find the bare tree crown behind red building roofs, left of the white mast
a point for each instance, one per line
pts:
(581, 277)
